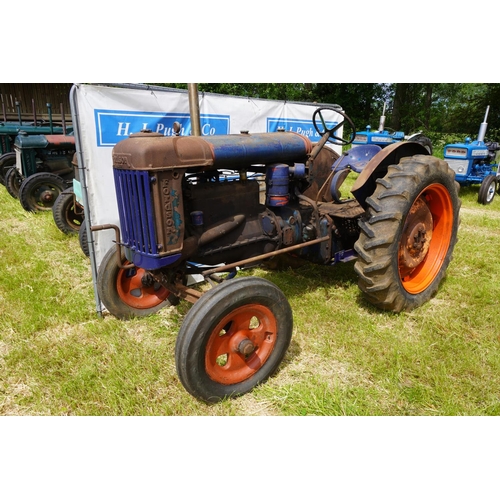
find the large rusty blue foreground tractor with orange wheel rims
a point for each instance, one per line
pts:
(176, 214)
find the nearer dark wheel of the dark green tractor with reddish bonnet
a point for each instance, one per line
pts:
(39, 191)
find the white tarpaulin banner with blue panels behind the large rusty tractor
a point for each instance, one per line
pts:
(103, 115)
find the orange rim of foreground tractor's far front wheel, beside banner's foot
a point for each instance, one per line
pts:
(135, 293)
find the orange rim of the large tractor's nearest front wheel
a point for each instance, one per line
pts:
(240, 344)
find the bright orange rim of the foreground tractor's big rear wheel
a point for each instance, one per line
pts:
(426, 238)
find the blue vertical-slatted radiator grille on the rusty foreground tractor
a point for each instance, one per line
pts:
(135, 208)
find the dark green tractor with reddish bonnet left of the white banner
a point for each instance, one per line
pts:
(43, 169)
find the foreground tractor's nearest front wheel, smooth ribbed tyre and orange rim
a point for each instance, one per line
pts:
(233, 338)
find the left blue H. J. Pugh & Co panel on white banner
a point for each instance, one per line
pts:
(113, 126)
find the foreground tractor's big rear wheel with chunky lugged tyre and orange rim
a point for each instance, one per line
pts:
(408, 236)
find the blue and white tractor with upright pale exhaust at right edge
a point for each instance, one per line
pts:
(474, 162)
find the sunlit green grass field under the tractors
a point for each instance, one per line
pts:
(57, 357)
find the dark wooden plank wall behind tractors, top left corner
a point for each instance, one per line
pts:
(40, 94)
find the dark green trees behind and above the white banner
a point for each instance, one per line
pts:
(431, 107)
